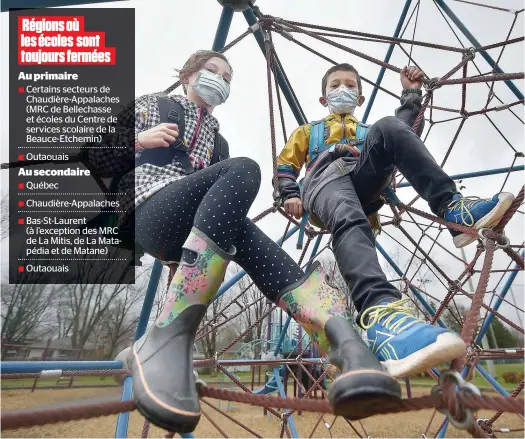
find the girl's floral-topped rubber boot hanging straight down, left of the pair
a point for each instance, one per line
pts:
(162, 360)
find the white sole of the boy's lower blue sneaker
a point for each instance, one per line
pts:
(447, 347)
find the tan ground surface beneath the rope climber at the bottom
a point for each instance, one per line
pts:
(407, 425)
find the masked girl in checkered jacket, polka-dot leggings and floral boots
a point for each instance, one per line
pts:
(198, 218)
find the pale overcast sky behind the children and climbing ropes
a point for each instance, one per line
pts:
(168, 31)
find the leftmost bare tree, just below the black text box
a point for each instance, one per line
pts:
(26, 310)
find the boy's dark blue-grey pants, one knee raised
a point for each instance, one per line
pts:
(390, 143)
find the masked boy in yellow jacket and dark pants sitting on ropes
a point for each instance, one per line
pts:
(343, 181)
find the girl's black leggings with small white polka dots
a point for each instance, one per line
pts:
(216, 201)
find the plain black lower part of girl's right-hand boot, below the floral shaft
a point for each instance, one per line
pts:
(363, 388)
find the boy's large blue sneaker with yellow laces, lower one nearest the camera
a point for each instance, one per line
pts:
(406, 345)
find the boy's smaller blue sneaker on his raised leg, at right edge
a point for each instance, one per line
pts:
(476, 212)
